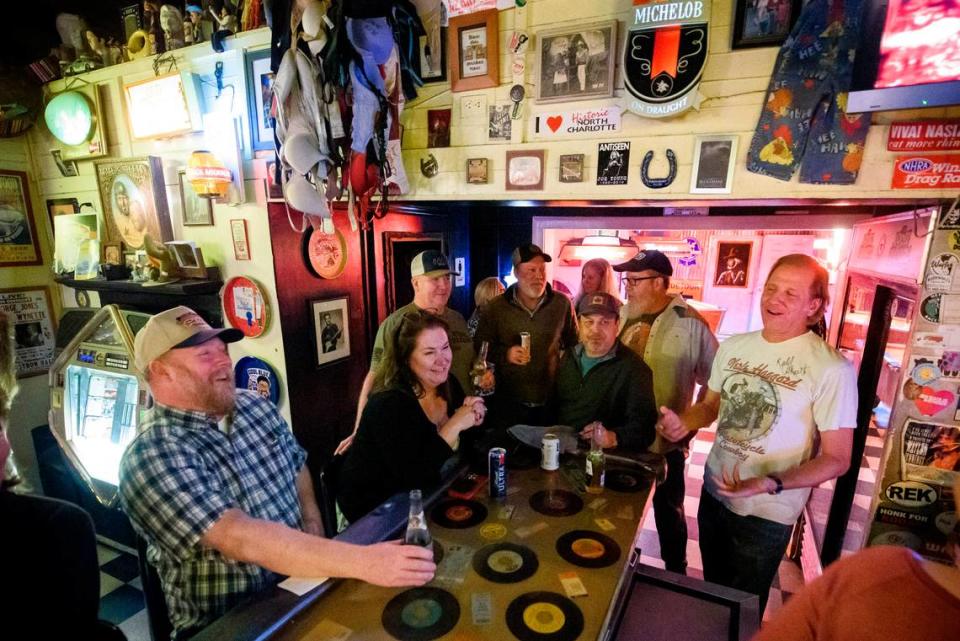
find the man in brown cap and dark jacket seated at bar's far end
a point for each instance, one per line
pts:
(603, 386)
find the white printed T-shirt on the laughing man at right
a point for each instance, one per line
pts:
(774, 397)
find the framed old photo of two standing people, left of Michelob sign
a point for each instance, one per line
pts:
(575, 63)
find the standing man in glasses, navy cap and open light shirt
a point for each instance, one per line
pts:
(677, 344)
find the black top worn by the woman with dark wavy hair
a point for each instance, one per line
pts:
(396, 449)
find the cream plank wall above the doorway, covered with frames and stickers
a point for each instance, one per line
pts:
(563, 91)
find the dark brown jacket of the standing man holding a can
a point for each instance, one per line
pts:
(552, 328)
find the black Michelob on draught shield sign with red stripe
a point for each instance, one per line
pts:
(664, 56)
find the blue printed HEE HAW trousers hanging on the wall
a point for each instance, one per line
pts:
(804, 118)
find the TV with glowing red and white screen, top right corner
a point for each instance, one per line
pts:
(909, 56)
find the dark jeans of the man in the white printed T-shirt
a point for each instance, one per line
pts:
(741, 552)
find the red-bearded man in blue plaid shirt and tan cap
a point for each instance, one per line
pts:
(219, 488)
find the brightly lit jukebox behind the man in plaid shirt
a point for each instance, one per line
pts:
(97, 396)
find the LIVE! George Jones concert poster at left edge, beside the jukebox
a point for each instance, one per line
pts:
(34, 329)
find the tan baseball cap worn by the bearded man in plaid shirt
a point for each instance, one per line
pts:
(173, 329)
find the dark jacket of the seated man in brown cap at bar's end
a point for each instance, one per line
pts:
(617, 391)
